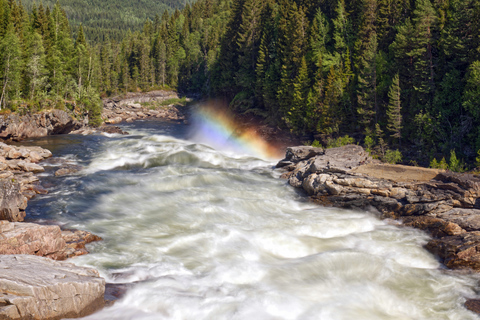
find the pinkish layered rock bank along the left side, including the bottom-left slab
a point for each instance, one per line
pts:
(54, 290)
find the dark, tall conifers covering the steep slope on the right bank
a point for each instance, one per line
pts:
(396, 71)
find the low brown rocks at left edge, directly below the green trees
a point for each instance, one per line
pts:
(18, 127)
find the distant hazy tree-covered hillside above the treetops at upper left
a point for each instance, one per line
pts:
(109, 19)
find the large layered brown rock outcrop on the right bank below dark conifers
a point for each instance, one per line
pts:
(445, 204)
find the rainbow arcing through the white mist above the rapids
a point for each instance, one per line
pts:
(215, 127)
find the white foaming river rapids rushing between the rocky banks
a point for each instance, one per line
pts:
(203, 234)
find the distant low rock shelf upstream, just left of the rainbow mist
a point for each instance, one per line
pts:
(141, 106)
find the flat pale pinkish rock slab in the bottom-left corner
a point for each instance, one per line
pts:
(33, 287)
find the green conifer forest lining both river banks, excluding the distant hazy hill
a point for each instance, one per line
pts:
(392, 74)
